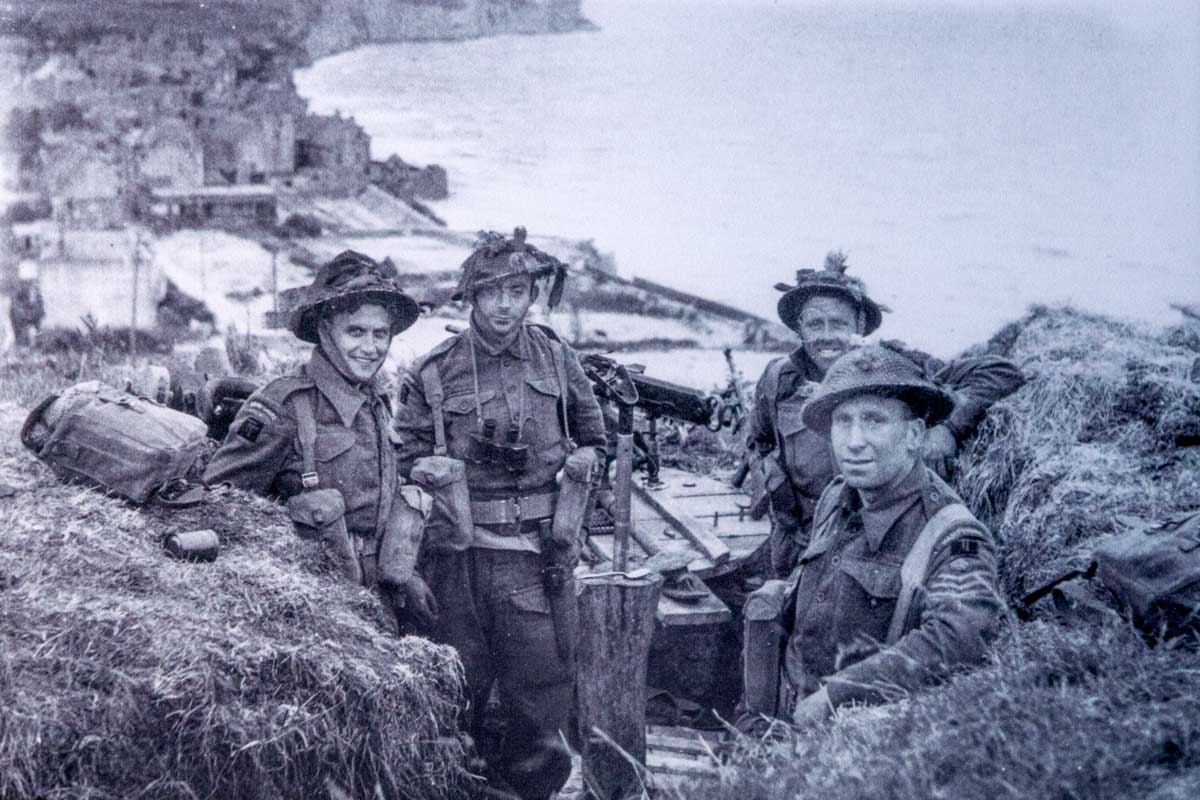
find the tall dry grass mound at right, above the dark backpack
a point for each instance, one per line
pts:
(1091, 436)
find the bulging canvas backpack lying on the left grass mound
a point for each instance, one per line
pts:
(124, 444)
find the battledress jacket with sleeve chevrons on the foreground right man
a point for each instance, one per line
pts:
(850, 584)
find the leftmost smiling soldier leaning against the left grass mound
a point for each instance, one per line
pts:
(320, 440)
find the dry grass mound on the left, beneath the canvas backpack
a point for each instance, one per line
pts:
(124, 673)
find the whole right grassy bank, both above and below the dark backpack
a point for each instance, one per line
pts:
(1064, 709)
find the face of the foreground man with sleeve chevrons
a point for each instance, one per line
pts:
(877, 441)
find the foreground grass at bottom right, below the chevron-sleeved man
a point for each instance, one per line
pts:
(1060, 713)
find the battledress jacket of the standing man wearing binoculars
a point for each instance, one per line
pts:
(520, 384)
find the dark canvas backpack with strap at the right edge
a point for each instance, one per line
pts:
(1154, 572)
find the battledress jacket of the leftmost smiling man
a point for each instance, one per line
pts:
(353, 450)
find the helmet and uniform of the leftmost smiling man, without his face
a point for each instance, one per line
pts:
(351, 452)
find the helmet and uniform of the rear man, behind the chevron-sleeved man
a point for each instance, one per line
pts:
(803, 456)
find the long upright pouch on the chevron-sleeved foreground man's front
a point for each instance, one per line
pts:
(764, 642)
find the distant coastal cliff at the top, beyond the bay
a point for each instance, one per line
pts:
(345, 25)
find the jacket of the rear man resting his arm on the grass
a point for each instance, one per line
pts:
(807, 456)
